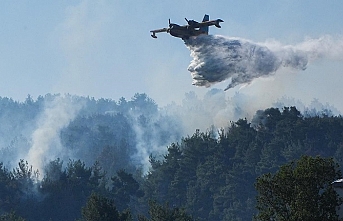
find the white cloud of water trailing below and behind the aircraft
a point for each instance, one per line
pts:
(217, 58)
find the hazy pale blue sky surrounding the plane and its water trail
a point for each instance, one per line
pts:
(104, 48)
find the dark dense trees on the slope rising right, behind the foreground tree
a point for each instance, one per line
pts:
(212, 175)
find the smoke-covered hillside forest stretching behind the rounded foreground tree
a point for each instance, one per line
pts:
(58, 153)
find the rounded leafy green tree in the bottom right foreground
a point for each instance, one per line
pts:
(300, 190)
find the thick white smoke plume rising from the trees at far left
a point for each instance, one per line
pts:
(46, 143)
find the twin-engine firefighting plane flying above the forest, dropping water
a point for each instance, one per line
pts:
(193, 28)
